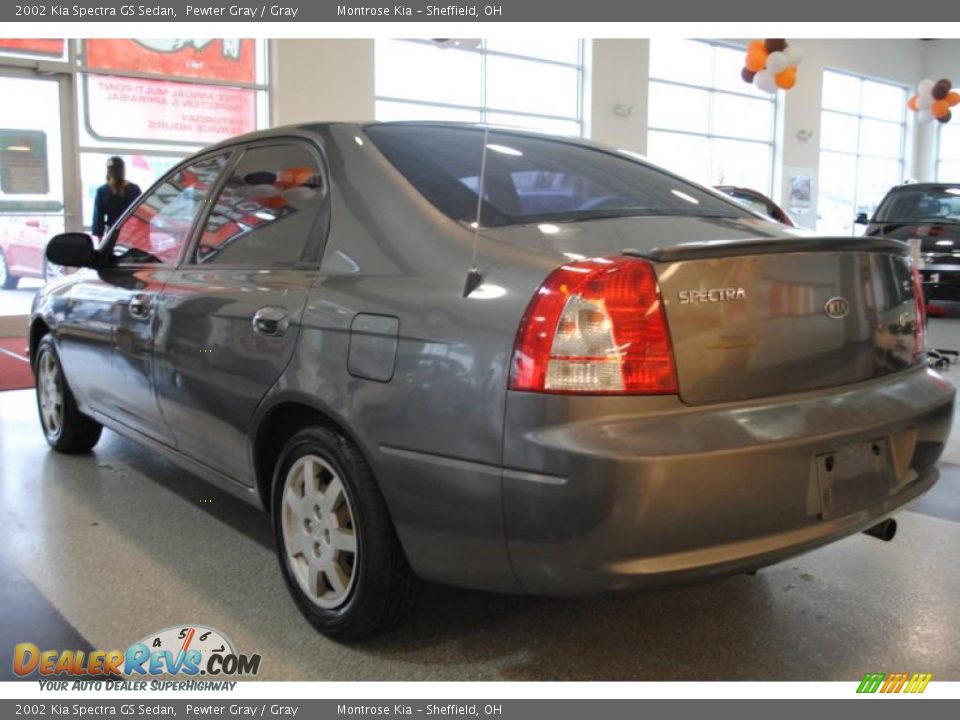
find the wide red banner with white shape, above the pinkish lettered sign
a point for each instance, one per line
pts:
(230, 60)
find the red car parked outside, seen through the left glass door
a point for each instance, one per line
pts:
(23, 240)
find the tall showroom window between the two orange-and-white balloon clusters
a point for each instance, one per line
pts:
(862, 131)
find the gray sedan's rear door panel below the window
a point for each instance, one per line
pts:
(212, 367)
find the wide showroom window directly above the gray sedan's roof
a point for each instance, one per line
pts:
(533, 83)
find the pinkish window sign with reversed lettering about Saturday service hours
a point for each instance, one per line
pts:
(132, 109)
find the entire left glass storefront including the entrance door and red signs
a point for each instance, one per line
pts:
(150, 101)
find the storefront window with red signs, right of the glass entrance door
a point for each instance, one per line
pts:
(153, 102)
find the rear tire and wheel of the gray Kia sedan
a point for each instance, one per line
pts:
(325, 502)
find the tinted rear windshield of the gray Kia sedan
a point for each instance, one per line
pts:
(533, 179)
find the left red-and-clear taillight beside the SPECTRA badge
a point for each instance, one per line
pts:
(596, 326)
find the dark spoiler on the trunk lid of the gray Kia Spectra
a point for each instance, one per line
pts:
(769, 246)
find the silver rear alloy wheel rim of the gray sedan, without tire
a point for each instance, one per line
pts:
(319, 532)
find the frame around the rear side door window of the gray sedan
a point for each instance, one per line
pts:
(319, 229)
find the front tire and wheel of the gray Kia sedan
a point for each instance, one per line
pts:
(66, 429)
